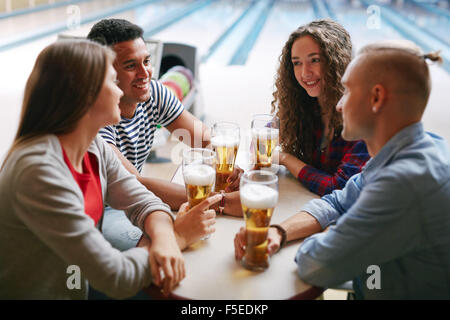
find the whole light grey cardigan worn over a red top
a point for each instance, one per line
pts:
(44, 229)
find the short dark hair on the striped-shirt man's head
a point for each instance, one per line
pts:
(111, 31)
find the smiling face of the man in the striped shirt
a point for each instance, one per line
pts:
(134, 70)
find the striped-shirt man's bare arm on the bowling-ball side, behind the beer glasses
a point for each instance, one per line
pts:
(190, 130)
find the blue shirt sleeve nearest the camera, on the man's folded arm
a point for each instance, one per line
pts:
(381, 225)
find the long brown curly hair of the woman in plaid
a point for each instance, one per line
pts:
(298, 112)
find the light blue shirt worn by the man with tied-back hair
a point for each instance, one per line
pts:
(392, 224)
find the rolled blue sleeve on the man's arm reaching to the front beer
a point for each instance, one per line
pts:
(330, 207)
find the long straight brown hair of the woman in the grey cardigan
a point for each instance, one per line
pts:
(65, 81)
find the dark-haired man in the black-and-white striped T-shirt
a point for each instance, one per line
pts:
(145, 104)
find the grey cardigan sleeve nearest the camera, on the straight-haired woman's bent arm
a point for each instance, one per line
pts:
(51, 205)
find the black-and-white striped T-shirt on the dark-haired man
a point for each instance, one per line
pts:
(134, 137)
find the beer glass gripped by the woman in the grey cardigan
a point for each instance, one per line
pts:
(199, 174)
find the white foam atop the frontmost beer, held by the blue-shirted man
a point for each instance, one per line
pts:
(257, 196)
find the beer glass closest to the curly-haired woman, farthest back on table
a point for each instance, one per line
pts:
(265, 132)
